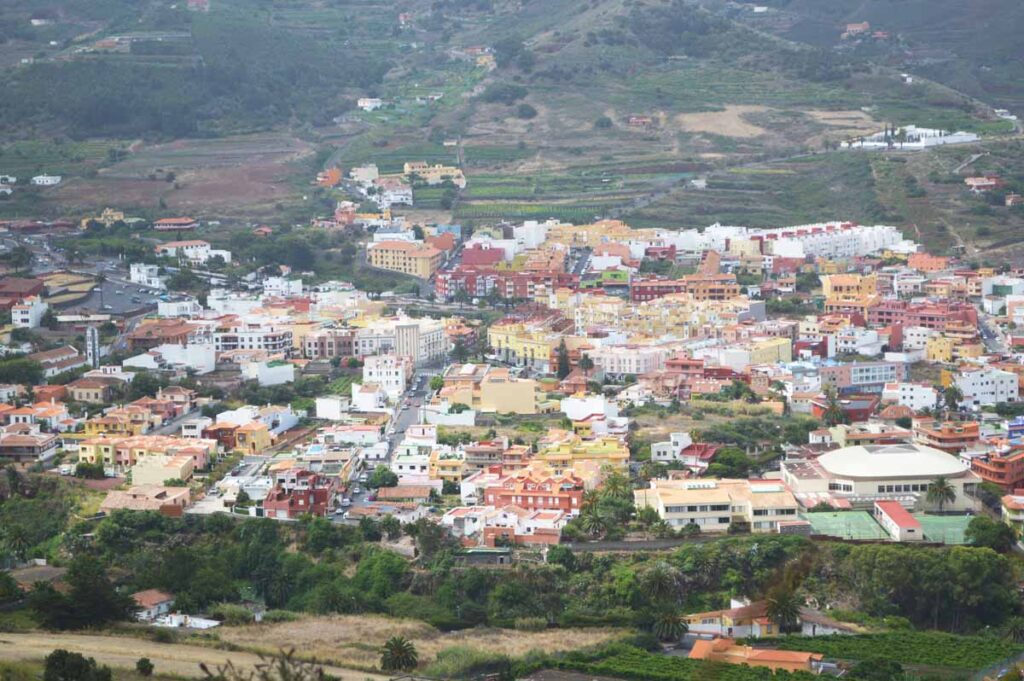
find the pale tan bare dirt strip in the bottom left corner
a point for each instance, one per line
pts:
(119, 652)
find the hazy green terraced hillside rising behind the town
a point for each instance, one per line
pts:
(606, 108)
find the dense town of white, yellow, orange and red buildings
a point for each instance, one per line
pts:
(548, 387)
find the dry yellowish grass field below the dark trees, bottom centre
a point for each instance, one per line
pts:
(355, 641)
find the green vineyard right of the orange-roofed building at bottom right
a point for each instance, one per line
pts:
(932, 649)
